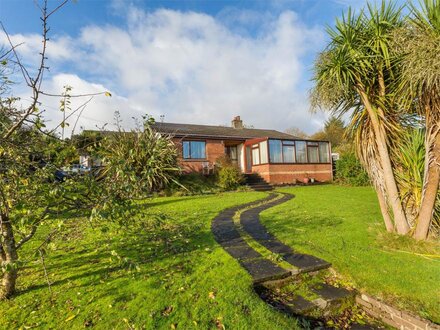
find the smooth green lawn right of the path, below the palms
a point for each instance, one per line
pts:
(343, 225)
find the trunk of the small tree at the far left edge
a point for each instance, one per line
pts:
(9, 258)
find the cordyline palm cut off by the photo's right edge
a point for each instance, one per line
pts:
(419, 44)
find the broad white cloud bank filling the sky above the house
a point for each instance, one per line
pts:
(190, 67)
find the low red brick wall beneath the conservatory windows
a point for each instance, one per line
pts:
(288, 173)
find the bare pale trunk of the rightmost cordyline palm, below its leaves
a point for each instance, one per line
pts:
(431, 183)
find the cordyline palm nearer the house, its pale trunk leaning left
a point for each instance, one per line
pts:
(353, 75)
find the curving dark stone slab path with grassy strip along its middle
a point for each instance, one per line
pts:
(271, 275)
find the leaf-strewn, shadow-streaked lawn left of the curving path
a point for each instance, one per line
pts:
(162, 270)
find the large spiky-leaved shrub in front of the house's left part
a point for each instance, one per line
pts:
(138, 161)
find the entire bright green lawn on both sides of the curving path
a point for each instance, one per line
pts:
(164, 270)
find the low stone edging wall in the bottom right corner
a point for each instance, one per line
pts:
(392, 316)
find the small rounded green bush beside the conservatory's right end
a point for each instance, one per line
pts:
(349, 171)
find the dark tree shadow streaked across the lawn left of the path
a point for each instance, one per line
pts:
(169, 251)
